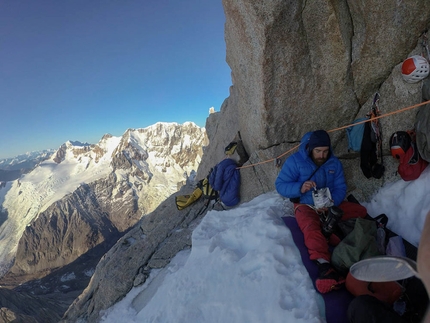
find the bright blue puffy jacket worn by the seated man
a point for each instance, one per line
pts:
(299, 167)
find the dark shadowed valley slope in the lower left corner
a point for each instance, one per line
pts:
(54, 292)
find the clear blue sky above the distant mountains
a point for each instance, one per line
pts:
(77, 69)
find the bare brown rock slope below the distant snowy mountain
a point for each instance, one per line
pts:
(68, 229)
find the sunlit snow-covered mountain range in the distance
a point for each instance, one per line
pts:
(143, 167)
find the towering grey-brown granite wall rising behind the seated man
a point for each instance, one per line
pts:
(298, 66)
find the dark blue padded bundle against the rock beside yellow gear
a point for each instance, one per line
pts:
(225, 178)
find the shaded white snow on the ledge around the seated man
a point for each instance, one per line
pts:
(244, 267)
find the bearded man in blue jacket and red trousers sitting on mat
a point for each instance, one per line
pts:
(315, 167)
